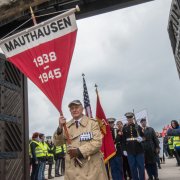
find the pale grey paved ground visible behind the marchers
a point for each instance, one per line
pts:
(169, 171)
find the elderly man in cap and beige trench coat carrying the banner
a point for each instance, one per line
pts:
(86, 141)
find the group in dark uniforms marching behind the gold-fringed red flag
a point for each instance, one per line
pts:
(138, 148)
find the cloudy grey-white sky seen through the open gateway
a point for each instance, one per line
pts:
(128, 54)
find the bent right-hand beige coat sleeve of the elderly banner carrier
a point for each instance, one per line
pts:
(94, 145)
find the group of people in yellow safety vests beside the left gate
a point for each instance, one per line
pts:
(44, 153)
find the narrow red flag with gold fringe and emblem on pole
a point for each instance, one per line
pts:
(108, 148)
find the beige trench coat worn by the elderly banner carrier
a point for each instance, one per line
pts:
(93, 167)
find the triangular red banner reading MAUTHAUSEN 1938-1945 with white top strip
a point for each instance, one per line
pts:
(43, 53)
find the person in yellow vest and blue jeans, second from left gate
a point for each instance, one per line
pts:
(42, 159)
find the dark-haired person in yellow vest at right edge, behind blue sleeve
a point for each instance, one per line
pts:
(176, 142)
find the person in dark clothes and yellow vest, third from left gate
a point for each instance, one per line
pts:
(50, 158)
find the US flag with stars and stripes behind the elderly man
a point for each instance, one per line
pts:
(87, 105)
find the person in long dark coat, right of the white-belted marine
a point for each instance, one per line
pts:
(151, 148)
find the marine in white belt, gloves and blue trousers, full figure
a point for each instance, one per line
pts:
(133, 148)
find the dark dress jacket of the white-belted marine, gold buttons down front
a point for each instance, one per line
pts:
(132, 146)
